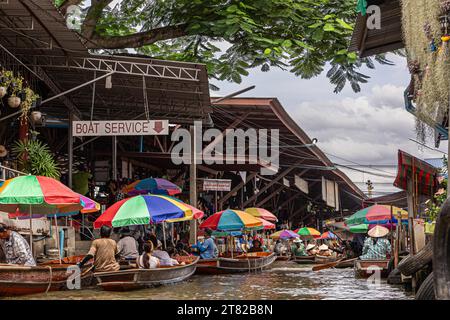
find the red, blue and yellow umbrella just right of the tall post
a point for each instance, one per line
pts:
(231, 220)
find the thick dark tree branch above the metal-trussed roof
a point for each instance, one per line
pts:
(137, 40)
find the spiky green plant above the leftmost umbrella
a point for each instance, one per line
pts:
(35, 158)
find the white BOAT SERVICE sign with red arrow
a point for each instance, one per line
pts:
(120, 128)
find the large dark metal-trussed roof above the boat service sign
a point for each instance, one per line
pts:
(36, 33)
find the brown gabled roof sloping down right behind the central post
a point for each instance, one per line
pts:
(298, 154)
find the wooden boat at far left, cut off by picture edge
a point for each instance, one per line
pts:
(18, 280)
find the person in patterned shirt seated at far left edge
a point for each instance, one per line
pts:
(15, 248)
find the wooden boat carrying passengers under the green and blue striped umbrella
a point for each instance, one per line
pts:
(132, 278)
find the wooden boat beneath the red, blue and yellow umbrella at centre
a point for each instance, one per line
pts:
(244, 263)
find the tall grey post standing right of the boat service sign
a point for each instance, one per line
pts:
(193, 184)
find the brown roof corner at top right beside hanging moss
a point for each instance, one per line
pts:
(371, 42)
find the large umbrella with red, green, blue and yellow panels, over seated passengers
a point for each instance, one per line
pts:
(143, 209)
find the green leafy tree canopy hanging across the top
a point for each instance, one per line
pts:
(231, 37)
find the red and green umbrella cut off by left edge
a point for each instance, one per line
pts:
(36, 194)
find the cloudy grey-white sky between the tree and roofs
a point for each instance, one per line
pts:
(367, 128)
